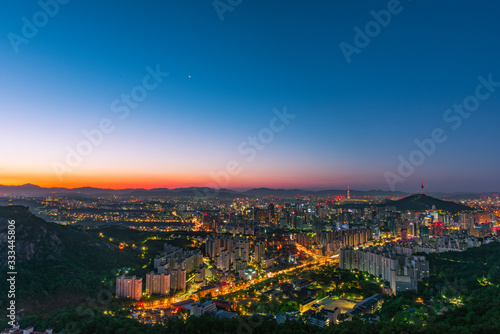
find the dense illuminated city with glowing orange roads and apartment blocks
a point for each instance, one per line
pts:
(319, 261)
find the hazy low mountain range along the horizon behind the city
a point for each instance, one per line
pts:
(31, 190)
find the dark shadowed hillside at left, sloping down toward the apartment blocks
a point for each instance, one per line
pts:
(56, 265)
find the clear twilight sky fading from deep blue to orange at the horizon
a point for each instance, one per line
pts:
(242, 94)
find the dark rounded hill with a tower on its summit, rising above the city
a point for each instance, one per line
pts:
(421, 202)
